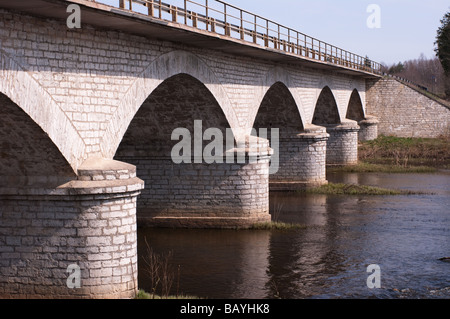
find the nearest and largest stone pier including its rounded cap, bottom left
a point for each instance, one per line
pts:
(49, 235)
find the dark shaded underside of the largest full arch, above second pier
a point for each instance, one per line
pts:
(176, 103)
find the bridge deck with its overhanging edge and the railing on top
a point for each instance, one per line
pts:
(207, 23)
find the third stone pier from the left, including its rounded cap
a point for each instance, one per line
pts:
(302, 159)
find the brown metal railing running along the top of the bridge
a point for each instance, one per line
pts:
(222, 18)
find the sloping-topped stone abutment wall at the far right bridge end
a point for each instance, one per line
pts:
(404, 112)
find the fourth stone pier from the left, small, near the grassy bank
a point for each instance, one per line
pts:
(342, 146)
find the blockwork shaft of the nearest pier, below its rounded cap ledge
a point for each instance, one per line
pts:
(41, 237)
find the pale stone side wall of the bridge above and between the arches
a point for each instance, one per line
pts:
(87, 72)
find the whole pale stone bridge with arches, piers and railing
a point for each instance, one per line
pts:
(86, 121)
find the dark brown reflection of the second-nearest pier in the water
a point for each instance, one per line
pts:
(214, 263)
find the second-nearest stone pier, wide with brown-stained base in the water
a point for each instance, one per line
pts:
(189, 195)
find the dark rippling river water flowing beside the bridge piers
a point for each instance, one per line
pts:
(404, 235)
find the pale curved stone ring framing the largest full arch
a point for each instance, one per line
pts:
(162, 68)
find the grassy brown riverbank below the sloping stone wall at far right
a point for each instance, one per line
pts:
(390, 154)
